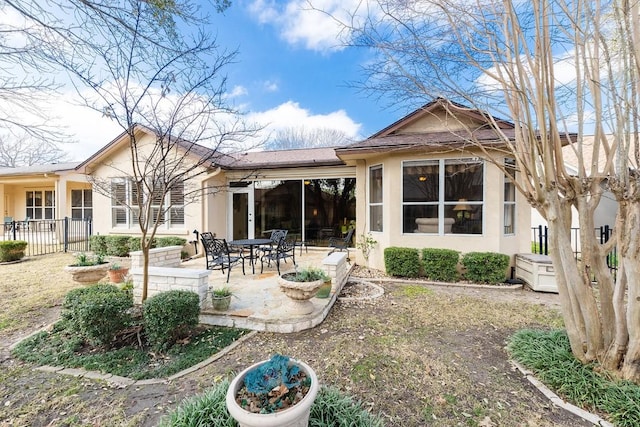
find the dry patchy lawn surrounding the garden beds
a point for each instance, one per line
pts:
(419, 355)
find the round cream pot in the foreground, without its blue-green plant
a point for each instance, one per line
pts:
(295, 416)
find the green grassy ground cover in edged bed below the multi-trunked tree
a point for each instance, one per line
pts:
(548, 354)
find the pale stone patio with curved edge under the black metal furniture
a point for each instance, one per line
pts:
(257, 301)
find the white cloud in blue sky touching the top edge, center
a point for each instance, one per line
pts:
(317, 25)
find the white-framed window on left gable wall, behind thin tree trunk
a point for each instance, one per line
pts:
(167, 208)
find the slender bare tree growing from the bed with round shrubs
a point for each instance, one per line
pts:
(175, 91)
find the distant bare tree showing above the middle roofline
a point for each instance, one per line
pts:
(301, 137)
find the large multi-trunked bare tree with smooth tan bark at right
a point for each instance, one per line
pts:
(558, 69)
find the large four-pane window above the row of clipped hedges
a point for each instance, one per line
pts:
(442, 196)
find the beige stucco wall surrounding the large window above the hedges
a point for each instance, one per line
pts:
(492, 239)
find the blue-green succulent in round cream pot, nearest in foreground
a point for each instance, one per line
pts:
(275, 392)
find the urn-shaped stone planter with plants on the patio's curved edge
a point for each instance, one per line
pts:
(302, 285)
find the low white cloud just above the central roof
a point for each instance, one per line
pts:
(291, 115)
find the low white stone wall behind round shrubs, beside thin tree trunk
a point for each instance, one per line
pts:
(162, 279)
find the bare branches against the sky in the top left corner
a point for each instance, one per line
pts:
(37, 36)
